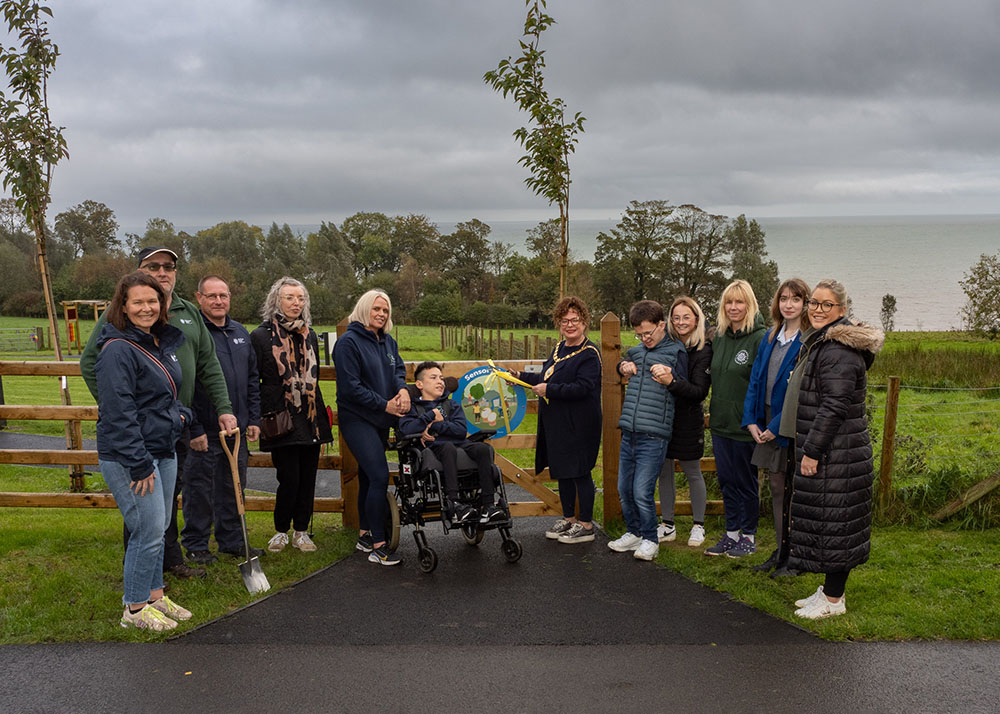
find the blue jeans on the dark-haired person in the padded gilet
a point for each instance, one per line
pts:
(639, 462)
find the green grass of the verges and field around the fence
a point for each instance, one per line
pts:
(924, 580)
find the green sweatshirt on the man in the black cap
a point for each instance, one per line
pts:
(196, 356)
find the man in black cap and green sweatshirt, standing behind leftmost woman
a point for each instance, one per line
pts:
(198, 362)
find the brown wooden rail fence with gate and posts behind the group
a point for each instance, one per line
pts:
(612, 393)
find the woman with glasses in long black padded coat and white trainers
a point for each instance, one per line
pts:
(831, 508)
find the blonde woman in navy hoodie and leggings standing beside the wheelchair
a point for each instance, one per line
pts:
(371, 396)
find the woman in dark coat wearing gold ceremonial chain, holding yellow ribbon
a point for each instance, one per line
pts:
(569, 422)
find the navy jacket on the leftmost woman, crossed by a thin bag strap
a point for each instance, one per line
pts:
(139, 417)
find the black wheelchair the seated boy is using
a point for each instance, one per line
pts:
(419, 499)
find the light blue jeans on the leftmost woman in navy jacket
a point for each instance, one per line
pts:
(146, 518)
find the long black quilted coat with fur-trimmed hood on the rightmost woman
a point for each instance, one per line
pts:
(831, 512)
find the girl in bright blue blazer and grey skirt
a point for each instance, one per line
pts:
(763, 406)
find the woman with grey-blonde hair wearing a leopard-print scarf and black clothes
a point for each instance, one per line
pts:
(287, 352)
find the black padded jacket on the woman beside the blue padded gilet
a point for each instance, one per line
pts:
(687, 441)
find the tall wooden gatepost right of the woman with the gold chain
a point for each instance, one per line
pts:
(611, 406)
